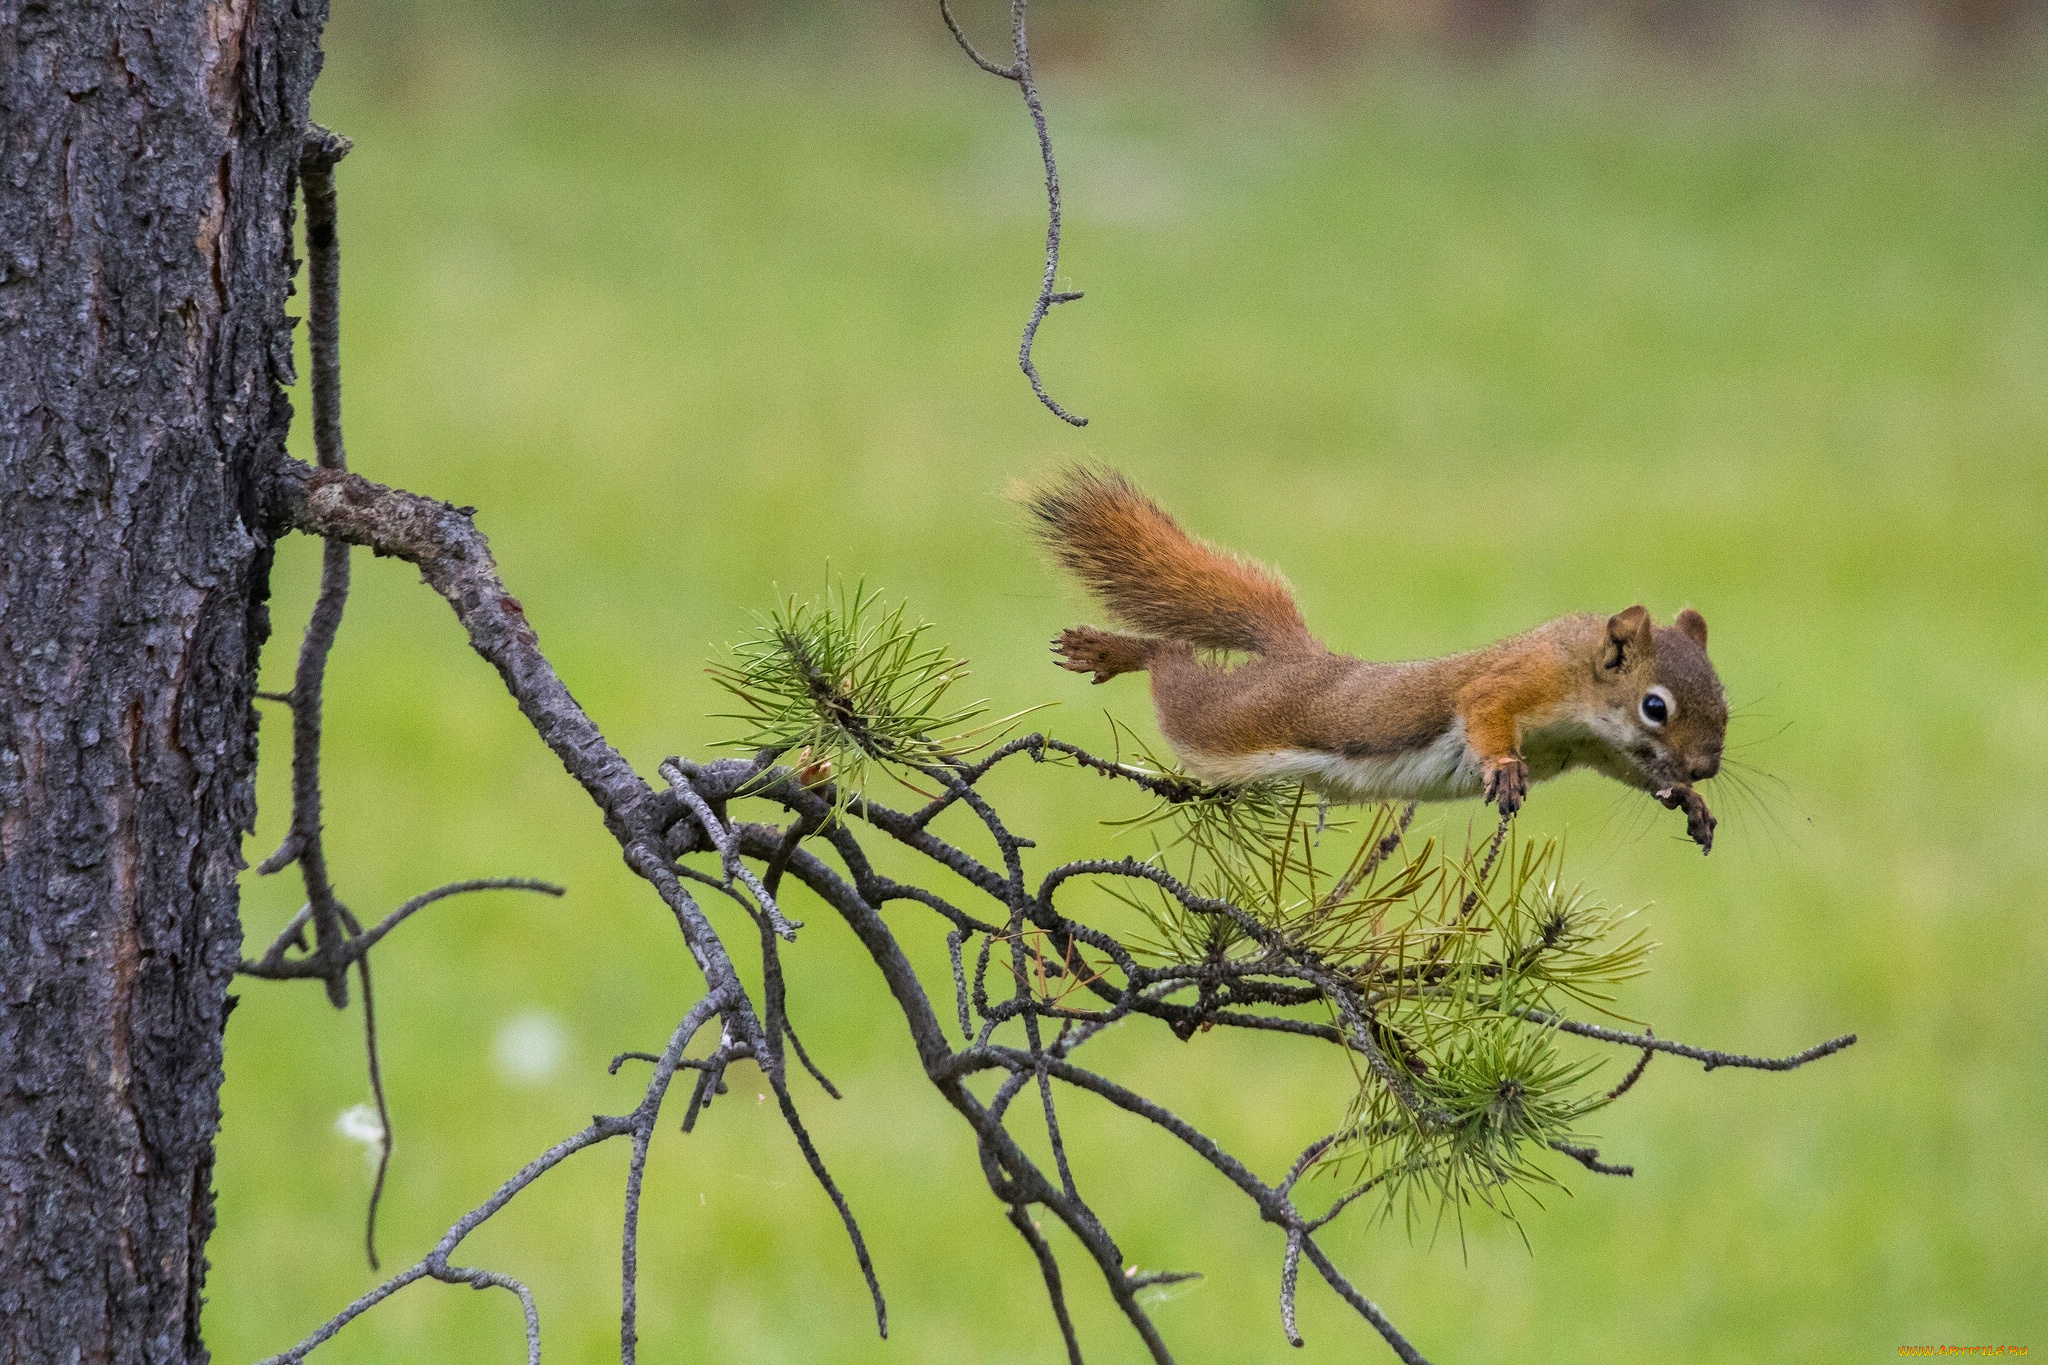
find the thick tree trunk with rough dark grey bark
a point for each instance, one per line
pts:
(148, 157)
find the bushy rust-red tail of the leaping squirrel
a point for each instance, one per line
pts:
(1156, 578)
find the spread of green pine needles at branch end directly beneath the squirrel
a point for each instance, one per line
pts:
(1445, 957)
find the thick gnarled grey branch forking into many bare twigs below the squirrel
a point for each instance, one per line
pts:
(660, 830)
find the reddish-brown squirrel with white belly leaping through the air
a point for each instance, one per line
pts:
(1619, 695)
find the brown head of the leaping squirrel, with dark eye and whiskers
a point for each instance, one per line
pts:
(1664, 703)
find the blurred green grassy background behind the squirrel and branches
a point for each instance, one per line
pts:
(1461, 322)
